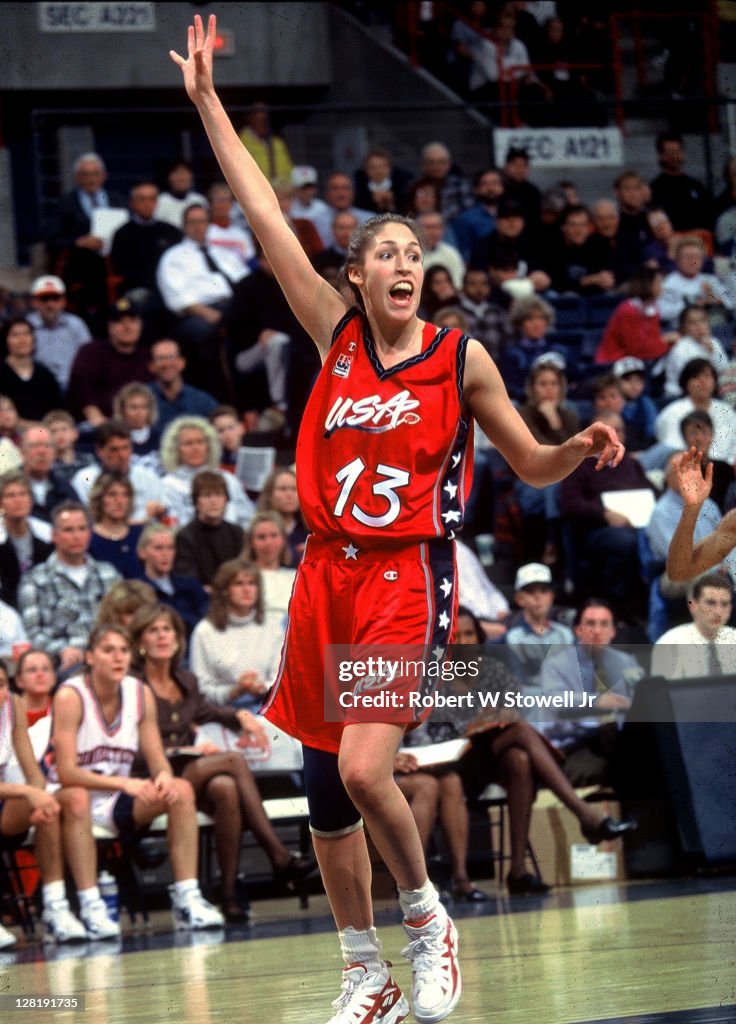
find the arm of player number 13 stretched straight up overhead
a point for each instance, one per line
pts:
(316, 304)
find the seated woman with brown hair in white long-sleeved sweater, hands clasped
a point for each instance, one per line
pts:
(236, 650)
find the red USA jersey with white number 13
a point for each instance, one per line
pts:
(384, 457)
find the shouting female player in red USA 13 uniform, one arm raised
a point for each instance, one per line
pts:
(383, 473)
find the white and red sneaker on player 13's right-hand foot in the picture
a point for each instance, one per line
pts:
(434, 953)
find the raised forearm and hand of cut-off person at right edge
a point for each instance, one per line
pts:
(686, 560)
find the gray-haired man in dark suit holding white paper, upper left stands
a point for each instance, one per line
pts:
(71, 235)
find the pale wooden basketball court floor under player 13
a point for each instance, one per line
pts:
(659, 953)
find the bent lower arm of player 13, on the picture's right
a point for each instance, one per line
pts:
(535, 463)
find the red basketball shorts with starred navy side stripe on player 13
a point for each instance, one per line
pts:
(370, 603)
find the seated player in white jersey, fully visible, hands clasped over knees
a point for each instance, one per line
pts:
(101, 721)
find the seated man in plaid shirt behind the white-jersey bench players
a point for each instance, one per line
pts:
(59, 599)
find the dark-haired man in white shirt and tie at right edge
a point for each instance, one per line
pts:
(707, 647)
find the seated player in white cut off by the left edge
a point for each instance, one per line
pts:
(25, 803)
